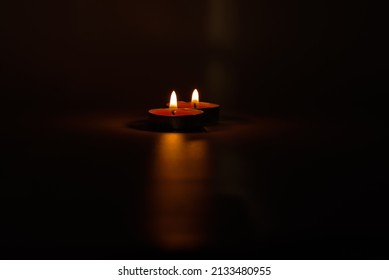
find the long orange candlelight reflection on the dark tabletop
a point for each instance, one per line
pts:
(179, 193)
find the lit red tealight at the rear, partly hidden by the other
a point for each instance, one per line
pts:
(211, 110)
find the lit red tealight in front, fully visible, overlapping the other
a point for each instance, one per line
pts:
(176, 118)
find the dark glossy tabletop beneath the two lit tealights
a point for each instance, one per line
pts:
(103, 185)
